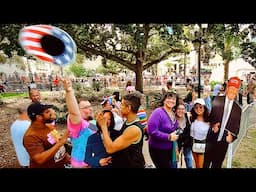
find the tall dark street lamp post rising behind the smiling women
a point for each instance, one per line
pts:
(198, 41)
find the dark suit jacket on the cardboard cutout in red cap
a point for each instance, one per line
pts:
(233, 123)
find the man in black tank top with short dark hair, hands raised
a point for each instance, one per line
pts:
(126, 149)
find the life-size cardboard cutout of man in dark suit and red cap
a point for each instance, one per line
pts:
(224, 125)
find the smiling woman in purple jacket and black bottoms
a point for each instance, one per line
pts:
(161, 126)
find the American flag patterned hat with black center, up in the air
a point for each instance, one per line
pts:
(48, 43)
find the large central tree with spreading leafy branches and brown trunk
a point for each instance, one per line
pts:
(135, 46)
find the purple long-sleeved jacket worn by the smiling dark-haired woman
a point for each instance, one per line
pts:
(159, 128)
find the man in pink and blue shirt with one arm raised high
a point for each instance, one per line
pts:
(80, 125)
